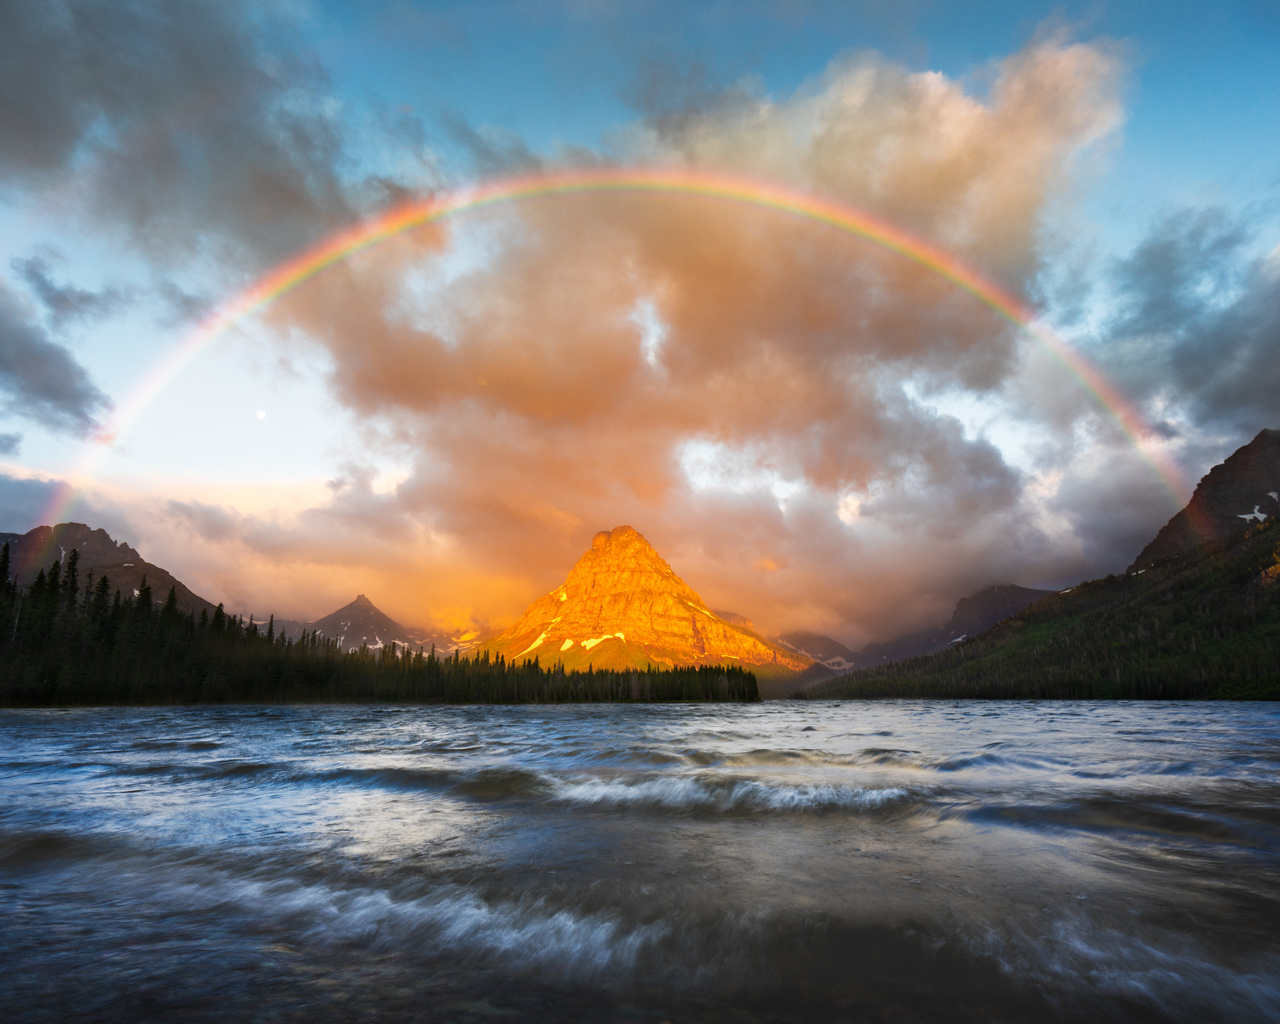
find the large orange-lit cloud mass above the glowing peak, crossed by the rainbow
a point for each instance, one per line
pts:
(536, 409)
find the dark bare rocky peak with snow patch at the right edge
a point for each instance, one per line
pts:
(1233, 496)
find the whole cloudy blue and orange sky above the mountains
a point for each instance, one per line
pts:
(813, 429)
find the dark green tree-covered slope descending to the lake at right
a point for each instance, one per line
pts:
(1205, 624)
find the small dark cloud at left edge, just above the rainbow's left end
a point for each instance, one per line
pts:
(40, 380)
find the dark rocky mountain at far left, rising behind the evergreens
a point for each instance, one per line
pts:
(99, 556)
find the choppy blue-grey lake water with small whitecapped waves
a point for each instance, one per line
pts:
(906, 862)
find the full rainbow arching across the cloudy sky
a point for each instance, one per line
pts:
(304, 267)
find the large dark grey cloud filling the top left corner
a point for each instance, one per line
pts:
(193, 125)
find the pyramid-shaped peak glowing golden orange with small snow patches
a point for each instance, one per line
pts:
(623, 606)
